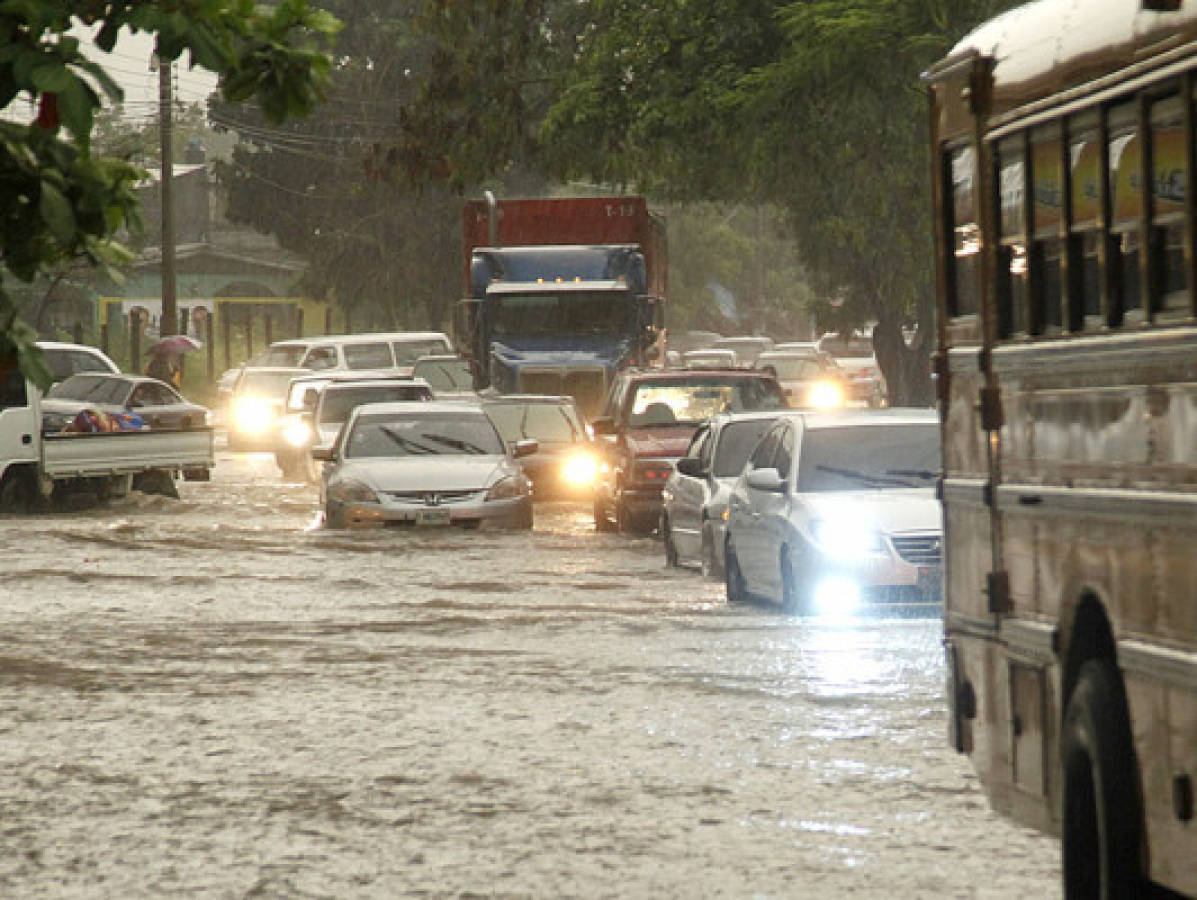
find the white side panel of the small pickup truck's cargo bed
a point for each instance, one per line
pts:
(118, 453)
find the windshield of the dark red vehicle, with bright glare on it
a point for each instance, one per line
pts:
(694, 400)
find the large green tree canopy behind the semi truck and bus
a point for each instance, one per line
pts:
(813, 106)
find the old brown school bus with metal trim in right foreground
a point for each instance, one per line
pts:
(1064, 151)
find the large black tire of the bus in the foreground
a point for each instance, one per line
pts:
(1102, 817)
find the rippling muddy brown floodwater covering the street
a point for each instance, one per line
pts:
(211, 697)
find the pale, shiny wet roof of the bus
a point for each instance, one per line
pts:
(1050, 46)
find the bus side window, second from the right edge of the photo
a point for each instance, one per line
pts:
(1126, 212)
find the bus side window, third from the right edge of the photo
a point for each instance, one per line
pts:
(1085, 238)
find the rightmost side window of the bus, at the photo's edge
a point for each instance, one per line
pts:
(1169, 186)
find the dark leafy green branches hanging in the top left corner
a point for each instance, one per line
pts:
(64, 202)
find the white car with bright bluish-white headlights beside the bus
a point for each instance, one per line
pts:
(837, 510)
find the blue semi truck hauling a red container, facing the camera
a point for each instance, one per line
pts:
(562, 294)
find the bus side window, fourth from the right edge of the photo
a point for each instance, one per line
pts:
(1046, 248)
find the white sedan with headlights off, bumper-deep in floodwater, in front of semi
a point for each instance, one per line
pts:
(424, 464)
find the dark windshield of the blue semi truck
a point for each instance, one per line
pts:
(573, 313)
